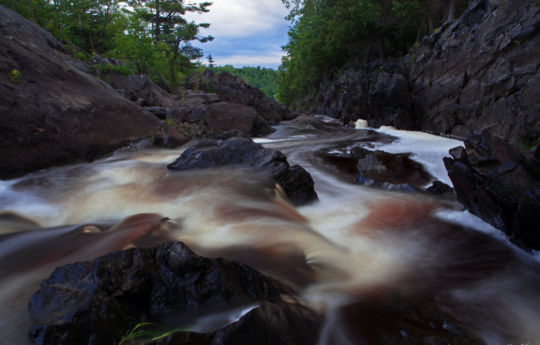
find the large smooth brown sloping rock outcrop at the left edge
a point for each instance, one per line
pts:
(53, 113)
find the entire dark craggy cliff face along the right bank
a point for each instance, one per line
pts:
(478, 72)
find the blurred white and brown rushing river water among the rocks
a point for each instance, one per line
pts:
(353, 248)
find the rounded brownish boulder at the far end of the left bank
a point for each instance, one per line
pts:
(224, 116)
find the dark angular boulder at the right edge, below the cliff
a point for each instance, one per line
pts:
(495, 182)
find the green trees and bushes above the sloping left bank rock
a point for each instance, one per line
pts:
(151, 36)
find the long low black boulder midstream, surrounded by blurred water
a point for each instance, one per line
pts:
(245, 154)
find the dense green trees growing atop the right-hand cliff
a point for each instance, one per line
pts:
(325, 34)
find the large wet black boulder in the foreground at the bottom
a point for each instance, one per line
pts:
(100, 301)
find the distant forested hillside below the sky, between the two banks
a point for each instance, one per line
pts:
(264, 79)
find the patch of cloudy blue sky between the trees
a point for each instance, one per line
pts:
(246, 32)
